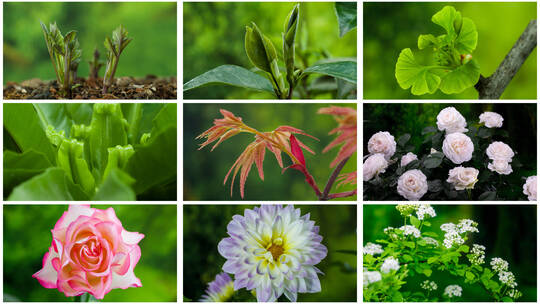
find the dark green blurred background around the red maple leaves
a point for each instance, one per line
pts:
(204, 171)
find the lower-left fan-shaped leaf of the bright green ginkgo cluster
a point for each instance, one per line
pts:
(410, 73)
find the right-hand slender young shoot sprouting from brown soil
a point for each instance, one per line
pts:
(114, 46)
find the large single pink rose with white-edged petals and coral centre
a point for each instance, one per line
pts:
(90, 252)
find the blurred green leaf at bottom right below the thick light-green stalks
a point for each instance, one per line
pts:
(116, 187)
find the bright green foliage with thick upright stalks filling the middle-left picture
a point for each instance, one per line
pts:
(104, 157)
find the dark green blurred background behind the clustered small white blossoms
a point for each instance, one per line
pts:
(507, 231)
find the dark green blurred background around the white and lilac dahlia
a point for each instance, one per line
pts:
(202, 261)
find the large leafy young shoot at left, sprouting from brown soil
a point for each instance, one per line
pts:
(65, 55)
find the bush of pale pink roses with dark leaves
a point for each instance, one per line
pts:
(475, 162)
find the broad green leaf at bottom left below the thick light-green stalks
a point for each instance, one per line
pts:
(51, 185)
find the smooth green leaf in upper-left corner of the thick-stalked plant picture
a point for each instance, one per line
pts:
(23, 125)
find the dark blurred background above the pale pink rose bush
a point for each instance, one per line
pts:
(412, 118)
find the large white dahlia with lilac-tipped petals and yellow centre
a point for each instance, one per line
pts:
(273, 250)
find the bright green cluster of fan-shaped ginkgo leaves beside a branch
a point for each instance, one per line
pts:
(454, 71)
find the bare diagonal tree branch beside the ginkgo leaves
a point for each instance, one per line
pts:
(493, 86)
